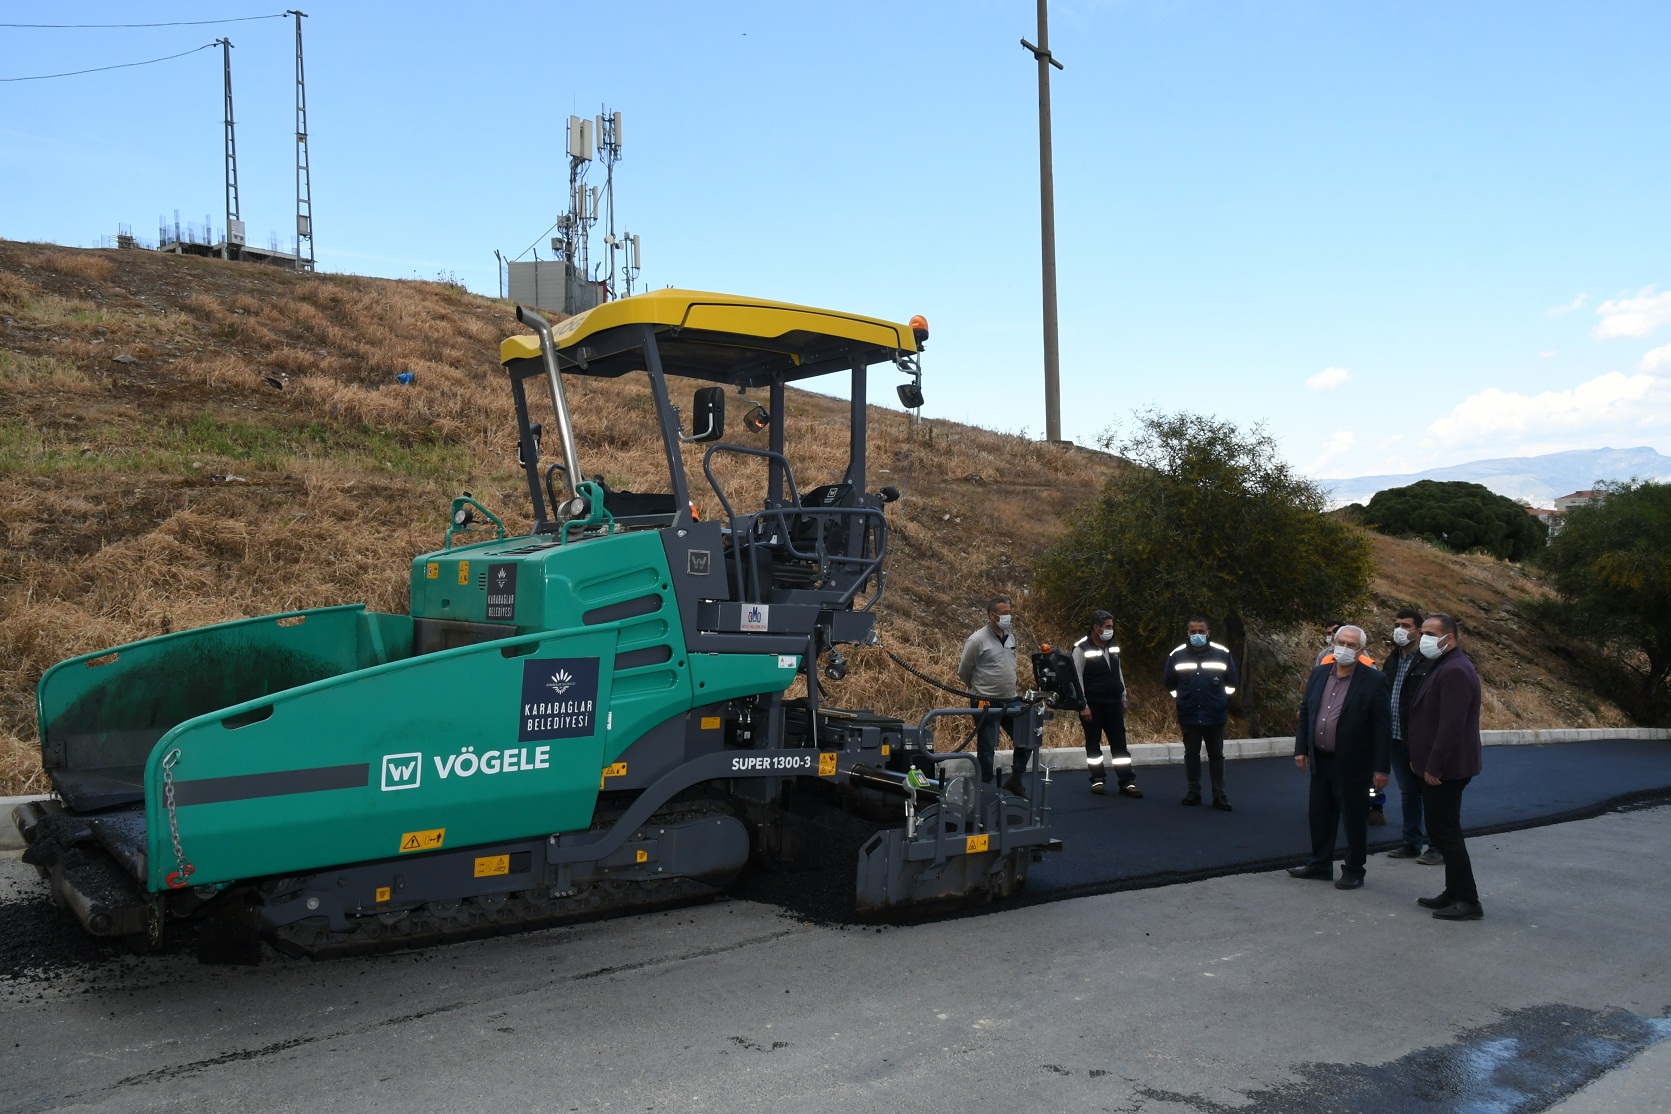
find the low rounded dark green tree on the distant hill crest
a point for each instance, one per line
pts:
(1460, 517)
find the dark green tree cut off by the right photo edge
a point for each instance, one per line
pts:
(1612, 564)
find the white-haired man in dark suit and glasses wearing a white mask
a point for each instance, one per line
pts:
(1344, 741)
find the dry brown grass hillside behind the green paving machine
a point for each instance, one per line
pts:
(186, 442)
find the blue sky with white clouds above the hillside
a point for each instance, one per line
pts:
(1401, 236)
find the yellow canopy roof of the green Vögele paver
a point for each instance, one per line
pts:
(719, 337)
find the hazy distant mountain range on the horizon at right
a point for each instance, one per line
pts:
(1538, 480)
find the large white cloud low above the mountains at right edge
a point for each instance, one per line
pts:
(1592, 413)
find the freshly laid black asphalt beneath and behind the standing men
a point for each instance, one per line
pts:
(1120, 844)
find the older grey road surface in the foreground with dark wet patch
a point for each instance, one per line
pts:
(1251, 993)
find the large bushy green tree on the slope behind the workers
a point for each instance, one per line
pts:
(1206, 520)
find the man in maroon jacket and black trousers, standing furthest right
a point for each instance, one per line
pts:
(1446, 754)
